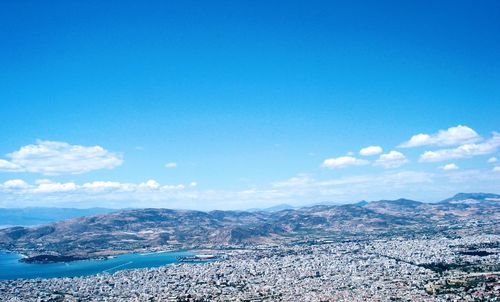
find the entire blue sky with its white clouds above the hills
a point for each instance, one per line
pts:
(249, 100)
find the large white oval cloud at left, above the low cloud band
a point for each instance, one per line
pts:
(55, 158)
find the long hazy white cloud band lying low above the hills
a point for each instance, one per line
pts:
(299, 190)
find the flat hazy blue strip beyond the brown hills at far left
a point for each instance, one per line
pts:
(35, 216)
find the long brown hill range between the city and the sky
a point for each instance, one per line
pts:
(138, 229)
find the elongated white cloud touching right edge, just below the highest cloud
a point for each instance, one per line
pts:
(464, 151)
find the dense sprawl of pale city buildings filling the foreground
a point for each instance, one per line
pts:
(398, 269)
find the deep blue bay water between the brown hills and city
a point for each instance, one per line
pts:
(12, 268)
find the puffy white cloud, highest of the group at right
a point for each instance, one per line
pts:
(451, 137)
